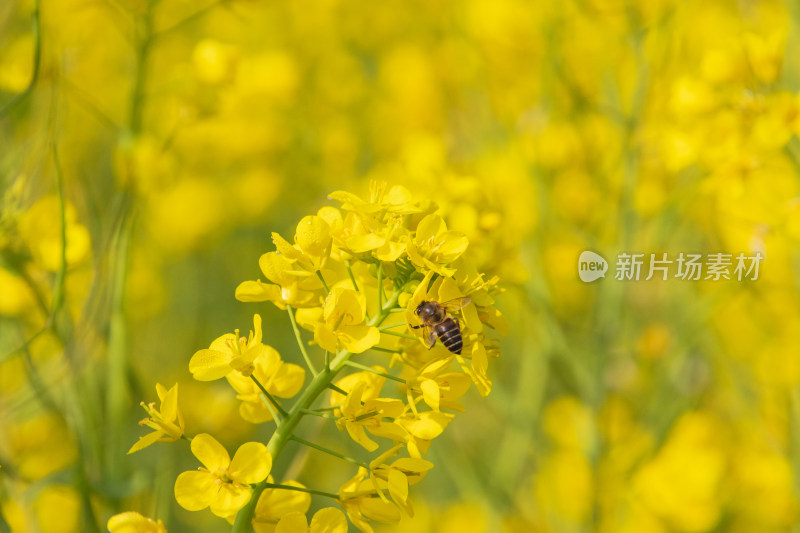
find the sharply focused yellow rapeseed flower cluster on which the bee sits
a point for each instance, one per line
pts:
(350, 273)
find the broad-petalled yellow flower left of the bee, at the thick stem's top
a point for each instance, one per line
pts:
(342, 324)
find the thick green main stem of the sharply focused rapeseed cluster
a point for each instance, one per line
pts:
(284, 432)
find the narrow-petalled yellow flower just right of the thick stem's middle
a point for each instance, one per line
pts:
(358, 413)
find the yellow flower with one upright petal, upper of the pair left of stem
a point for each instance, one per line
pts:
(229, 353)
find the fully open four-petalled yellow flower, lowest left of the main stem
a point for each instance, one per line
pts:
(222, 484)
